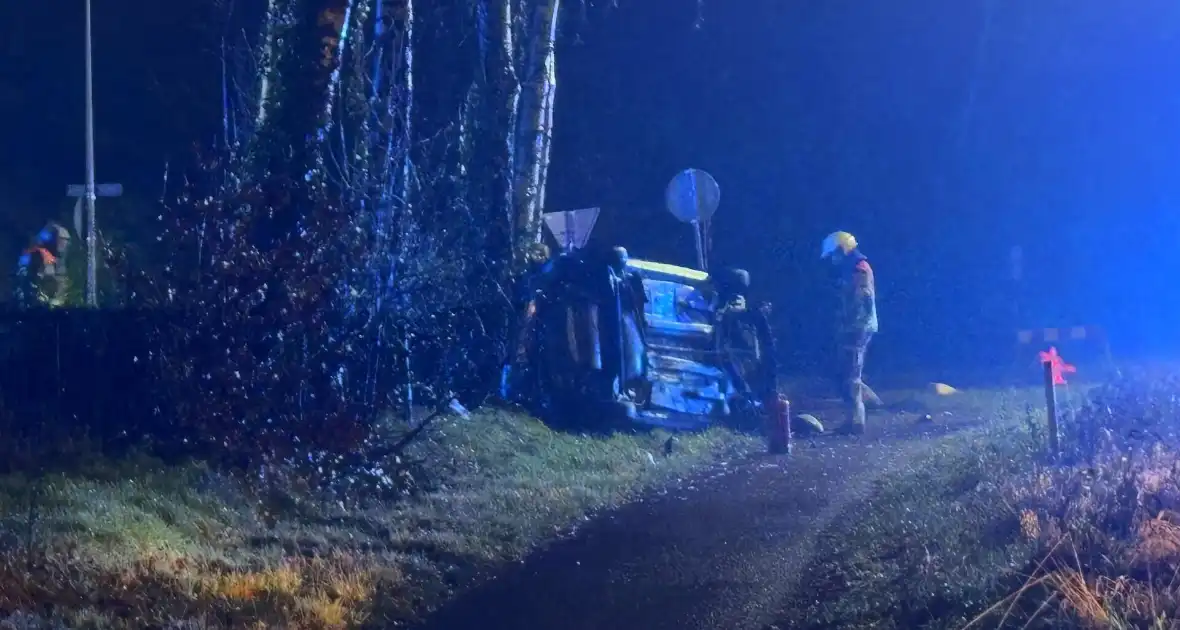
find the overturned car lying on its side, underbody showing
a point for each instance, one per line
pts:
(611, 340)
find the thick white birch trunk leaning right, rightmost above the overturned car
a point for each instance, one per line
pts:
(535, 126)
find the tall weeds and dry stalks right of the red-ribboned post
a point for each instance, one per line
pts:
(1109, 523)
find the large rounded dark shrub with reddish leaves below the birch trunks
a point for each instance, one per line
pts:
(300, 338)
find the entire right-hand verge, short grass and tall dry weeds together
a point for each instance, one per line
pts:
(986, 534)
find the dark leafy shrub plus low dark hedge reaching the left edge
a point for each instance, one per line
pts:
(278, 338)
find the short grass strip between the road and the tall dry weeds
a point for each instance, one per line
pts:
(935, 543)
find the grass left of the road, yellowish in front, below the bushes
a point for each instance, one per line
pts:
(134, 544)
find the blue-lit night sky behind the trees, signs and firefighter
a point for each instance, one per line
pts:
(814, 116)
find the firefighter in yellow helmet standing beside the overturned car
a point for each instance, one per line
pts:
(856, 323)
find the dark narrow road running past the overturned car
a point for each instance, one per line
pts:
(717, 555)
